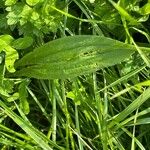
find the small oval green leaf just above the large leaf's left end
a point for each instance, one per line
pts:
(22, 43)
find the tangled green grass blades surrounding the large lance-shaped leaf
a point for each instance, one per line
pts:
(107, 109)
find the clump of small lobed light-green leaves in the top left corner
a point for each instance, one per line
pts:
(35, 15)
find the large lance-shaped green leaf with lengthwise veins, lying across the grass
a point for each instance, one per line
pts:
(72, 56)
